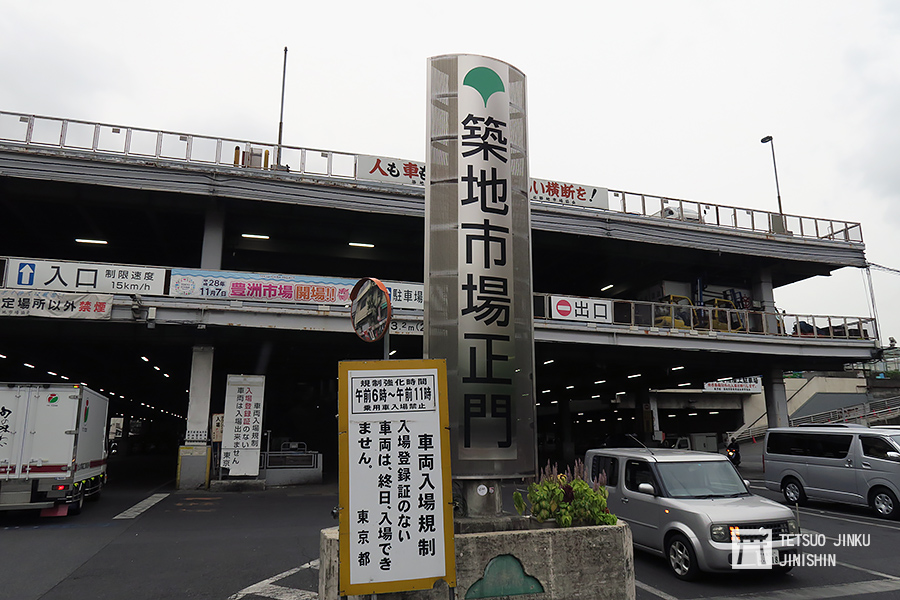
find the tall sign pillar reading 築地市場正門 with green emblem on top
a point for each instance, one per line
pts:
(478, 307)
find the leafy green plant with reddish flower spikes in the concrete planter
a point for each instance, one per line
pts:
(568, 498)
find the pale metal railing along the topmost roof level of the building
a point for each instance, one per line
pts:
(110, 140)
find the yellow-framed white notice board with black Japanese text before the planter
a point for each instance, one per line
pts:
(396, 517)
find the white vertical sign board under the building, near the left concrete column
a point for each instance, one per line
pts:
(243, 424)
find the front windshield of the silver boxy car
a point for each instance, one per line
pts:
(701, 479)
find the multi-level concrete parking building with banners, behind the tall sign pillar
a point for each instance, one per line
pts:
(249, 265)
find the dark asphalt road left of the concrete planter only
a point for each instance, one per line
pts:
(189, 545)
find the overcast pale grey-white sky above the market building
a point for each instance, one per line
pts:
(665, 98)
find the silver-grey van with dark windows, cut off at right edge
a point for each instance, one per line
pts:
(842, 463)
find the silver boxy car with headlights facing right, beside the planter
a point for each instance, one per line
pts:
(689, 507)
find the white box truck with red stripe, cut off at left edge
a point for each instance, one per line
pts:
(52, 447)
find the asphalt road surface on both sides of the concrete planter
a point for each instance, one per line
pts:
(257, 545)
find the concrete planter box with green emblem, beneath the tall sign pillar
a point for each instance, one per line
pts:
(576, 563)
